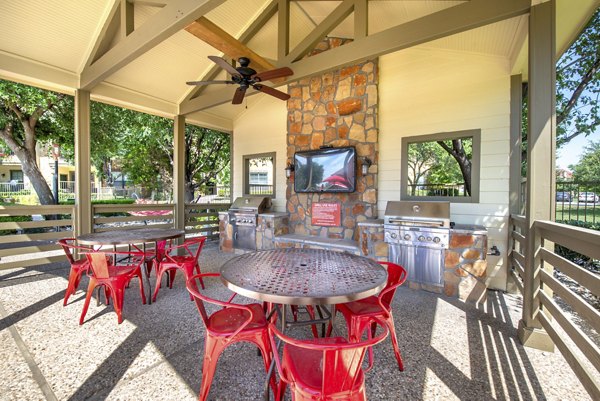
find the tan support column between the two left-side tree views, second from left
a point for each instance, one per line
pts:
(179, 171)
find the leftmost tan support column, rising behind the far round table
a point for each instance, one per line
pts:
(83, 197)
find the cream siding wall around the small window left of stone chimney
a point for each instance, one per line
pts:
(262, 128)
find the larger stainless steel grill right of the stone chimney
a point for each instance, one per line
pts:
(417, 234)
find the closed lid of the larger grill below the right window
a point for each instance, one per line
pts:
(427, 213)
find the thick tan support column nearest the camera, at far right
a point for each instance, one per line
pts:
(541, 148)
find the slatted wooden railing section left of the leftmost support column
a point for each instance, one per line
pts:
(28, 234)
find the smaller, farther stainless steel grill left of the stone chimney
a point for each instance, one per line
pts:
(243, 216)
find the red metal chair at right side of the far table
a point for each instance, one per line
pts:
(172, 262)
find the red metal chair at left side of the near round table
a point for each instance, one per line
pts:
(230, 324)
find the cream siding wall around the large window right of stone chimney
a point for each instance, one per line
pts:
(426, 91)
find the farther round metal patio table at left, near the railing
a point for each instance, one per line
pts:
(128, 237)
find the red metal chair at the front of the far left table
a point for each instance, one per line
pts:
(114, 278)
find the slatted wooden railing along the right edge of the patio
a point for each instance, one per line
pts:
(571, 338)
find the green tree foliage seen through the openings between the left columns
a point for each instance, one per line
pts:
(142, 143)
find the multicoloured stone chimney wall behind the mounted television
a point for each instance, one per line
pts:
(338, 108)
